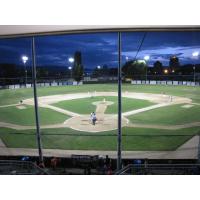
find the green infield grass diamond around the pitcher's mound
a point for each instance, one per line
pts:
(85, 106)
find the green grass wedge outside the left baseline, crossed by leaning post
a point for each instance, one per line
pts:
(27, 116)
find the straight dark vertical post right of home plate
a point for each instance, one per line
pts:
(119, 146)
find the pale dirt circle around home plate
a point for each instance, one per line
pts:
(104, 123)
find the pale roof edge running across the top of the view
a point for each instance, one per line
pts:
(28, 30)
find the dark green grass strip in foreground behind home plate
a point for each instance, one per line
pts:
(133, 139)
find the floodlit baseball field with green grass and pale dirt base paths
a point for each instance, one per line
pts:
(154, 117)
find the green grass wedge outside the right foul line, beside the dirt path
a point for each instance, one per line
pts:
(170, 115)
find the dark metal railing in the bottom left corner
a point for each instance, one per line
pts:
(20, 167)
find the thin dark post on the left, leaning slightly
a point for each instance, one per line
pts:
(36, 102)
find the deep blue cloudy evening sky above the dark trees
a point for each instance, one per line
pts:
(101, 48)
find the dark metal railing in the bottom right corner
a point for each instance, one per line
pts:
(160, 169)
